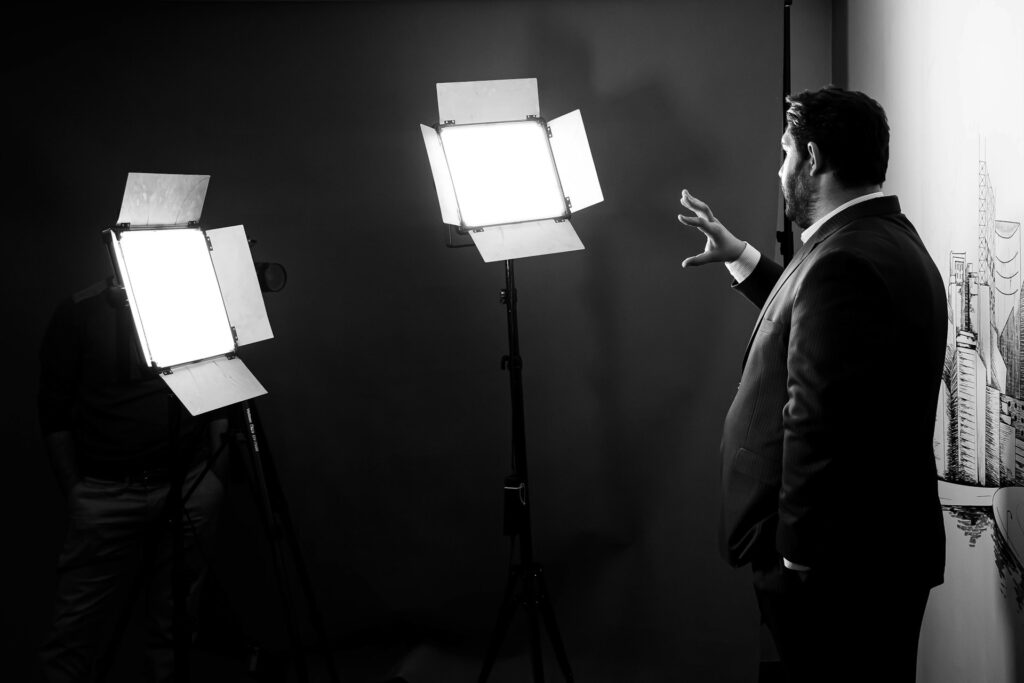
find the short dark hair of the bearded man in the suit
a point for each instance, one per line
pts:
(849, 127)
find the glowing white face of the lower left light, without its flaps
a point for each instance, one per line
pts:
(175, 296)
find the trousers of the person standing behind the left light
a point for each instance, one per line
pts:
(117, 549)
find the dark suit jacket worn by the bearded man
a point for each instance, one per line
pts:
(828, 446)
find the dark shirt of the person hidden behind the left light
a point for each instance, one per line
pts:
(94, 383)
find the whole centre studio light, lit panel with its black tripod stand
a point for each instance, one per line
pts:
(510, 181)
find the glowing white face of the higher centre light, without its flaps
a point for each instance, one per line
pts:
(503, 173)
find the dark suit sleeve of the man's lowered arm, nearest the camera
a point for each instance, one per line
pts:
(837, 336)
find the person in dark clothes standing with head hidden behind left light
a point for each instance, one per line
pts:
(107, 423)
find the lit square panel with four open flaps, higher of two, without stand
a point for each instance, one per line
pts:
(498, 167)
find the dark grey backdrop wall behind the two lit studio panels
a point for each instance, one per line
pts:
(389, 415)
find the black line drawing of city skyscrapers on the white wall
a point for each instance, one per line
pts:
(979, 429)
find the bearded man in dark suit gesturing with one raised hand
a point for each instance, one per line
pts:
(829, 480)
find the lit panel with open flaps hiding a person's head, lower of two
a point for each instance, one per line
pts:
(194, 294)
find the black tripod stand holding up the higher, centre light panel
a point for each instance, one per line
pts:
(526, 584)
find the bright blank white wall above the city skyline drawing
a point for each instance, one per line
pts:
(951, 76)
